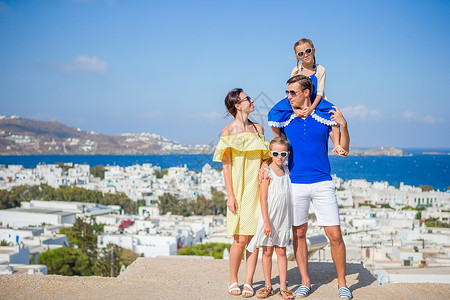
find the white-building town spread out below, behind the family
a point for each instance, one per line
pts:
(399, 233)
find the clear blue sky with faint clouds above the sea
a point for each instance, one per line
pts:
(165, 66)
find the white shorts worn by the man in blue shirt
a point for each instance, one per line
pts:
(322, 195)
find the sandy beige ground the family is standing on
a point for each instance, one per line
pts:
(203, 278)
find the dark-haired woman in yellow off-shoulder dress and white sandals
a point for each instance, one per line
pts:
(241, 149)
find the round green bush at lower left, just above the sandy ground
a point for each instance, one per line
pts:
(67, 261)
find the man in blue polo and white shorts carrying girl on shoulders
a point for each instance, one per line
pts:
(311, 181)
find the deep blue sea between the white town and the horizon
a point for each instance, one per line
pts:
(416, 169)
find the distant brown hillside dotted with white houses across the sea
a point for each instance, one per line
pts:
(27, 136)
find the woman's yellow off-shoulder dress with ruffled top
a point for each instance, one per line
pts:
(248, 150)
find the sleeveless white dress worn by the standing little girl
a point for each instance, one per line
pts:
(279, 209)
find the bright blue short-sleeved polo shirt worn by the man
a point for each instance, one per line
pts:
(308, 160)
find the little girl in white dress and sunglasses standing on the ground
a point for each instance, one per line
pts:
(275, 220)
